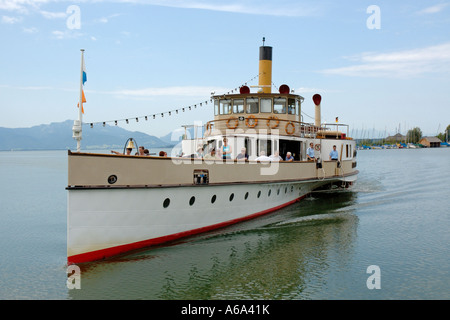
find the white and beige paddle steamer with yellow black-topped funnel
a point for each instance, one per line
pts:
(118, 203)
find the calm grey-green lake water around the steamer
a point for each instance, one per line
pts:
(396, 217)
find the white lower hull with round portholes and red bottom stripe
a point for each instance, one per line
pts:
(106, 222)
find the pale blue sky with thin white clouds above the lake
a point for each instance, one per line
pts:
(382, 67)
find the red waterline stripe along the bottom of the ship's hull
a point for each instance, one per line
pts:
(109, 252)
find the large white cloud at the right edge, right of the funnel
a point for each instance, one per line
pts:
(400, 64)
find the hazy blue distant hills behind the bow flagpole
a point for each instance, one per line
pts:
(58, 136)
